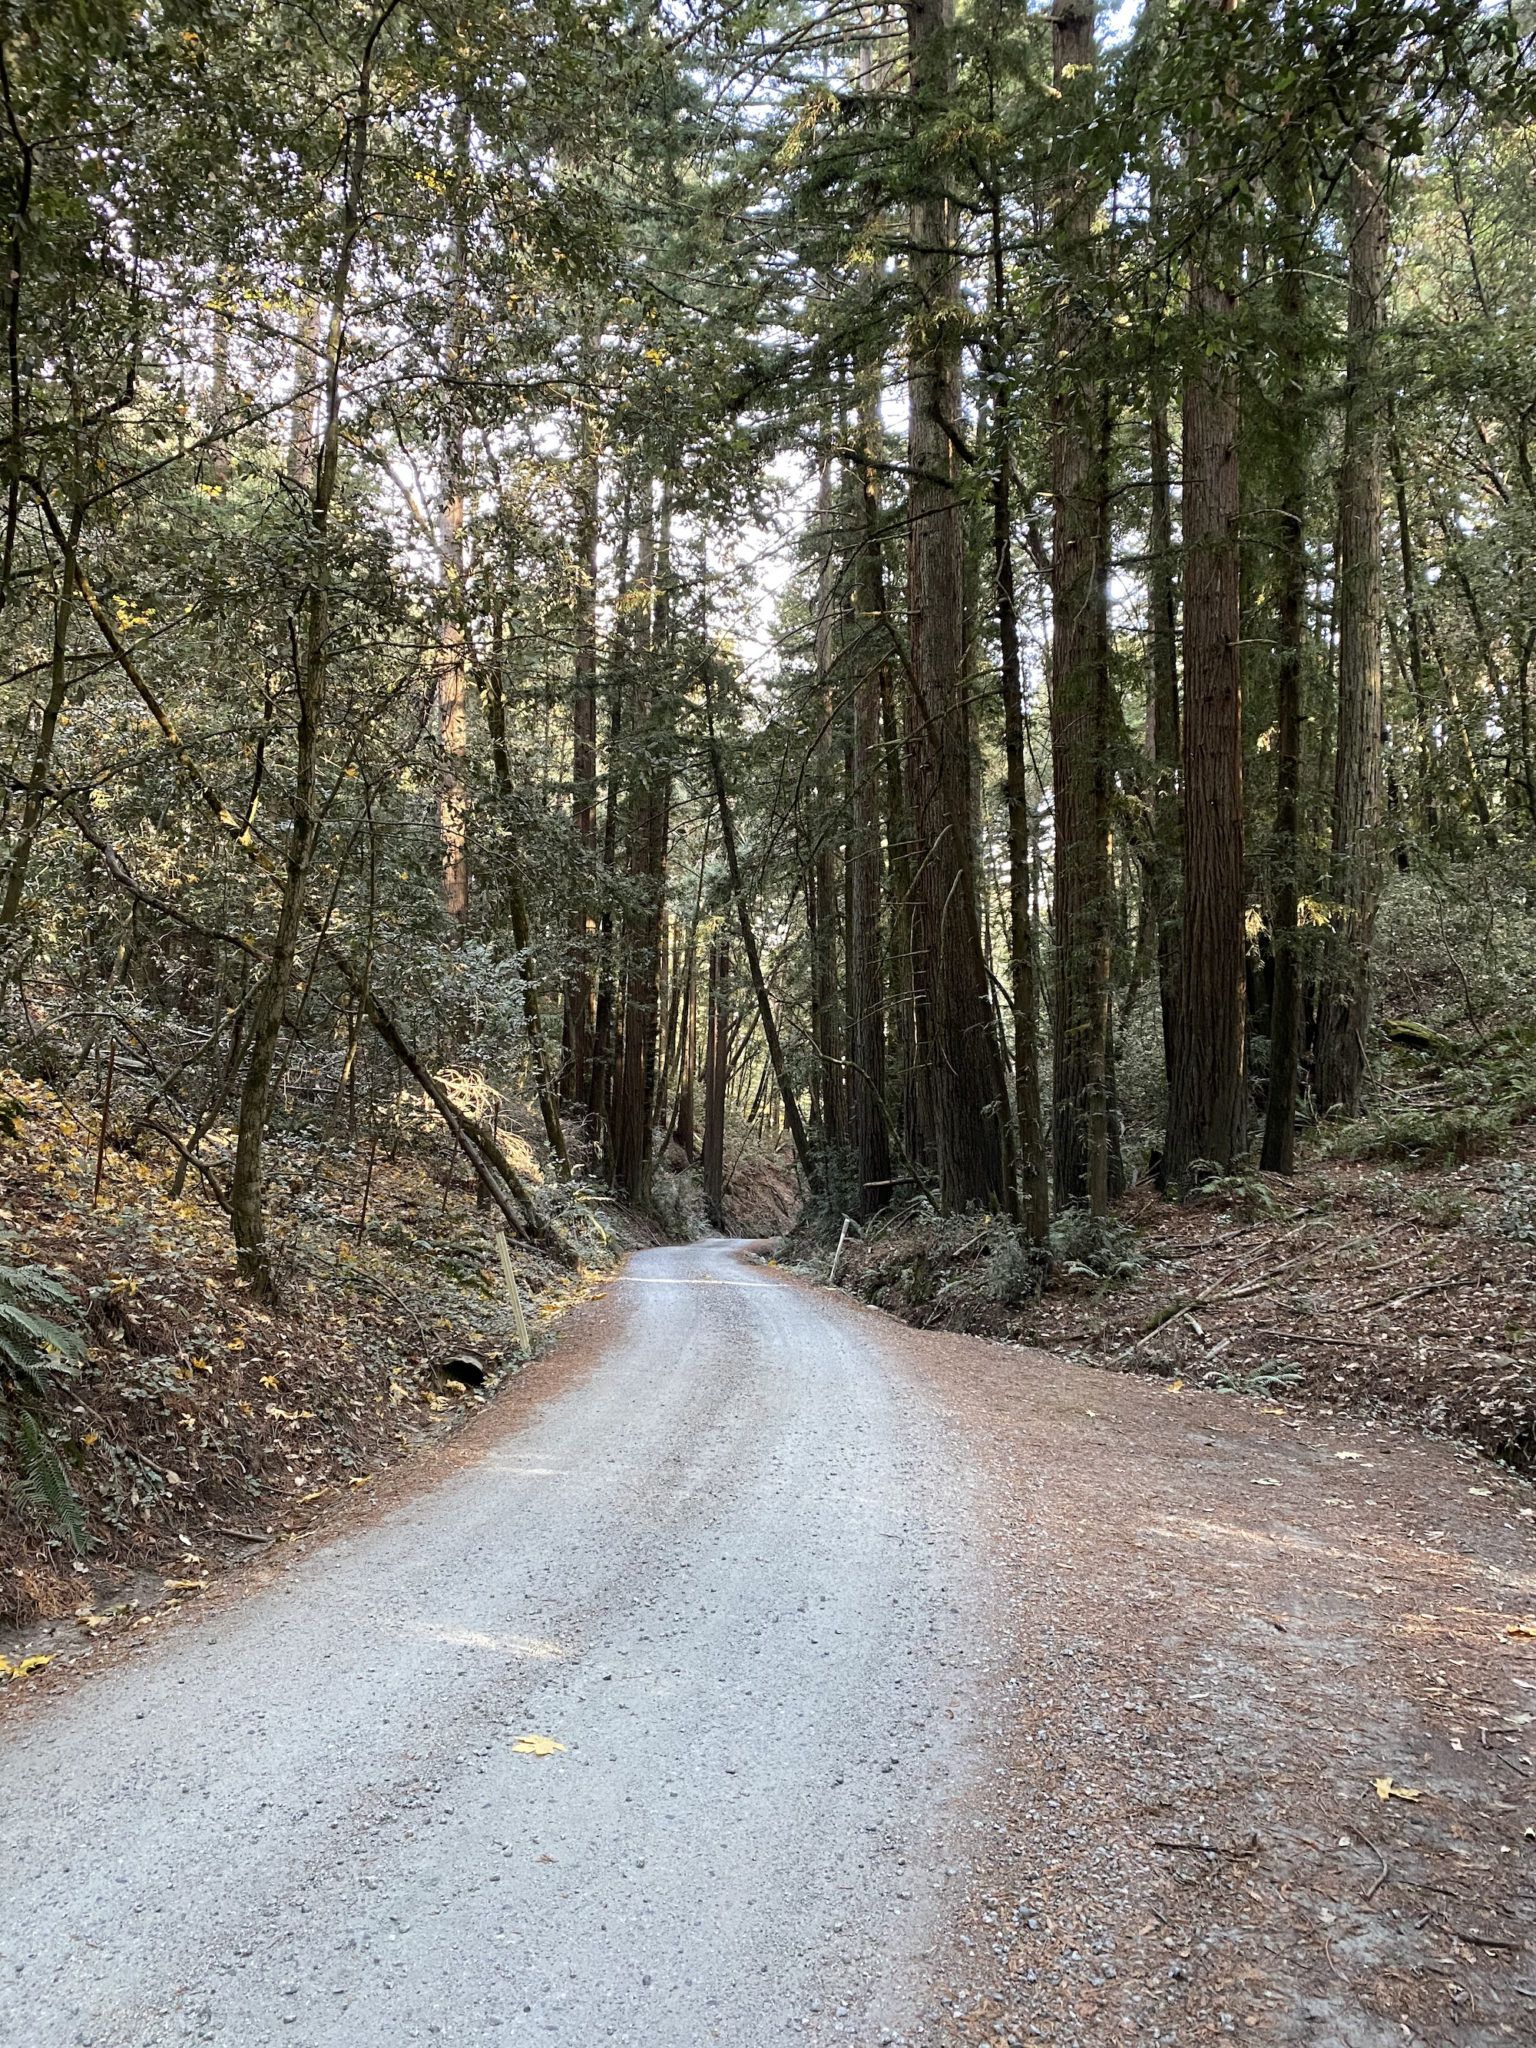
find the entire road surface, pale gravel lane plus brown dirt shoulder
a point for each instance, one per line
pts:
(767, 1672)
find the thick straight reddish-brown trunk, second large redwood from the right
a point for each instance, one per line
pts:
(1207, 1107)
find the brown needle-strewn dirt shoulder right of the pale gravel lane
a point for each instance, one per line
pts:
(1226, 1633)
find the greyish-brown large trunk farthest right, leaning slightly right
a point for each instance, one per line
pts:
(1345, 1000)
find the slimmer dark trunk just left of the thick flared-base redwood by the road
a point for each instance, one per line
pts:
(865, 968)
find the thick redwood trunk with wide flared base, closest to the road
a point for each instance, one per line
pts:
(962, 1068)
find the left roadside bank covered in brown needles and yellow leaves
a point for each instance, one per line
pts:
(204, 1424)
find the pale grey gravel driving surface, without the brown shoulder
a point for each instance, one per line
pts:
(724, 1568)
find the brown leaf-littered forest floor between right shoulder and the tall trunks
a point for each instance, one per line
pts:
(1373, 1289)
